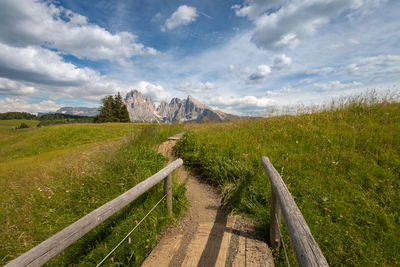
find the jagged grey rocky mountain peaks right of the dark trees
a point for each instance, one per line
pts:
(142, 109)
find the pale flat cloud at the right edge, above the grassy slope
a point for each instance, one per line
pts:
(376, 68)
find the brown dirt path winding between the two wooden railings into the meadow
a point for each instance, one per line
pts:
(207, 235)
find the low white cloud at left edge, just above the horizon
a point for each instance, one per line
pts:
(19, 104)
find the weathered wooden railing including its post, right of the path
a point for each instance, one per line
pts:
(305, 247)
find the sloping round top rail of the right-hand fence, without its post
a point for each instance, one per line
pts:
(306, 248)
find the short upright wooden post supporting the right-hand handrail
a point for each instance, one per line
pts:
(274, 237)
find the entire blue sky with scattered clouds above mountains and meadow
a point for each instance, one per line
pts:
(240, 56)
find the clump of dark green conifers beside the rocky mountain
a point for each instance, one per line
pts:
(113, 110)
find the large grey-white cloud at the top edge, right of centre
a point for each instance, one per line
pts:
(291, 21)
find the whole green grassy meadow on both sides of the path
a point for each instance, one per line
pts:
(341, 164)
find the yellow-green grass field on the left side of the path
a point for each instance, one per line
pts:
(52, 176)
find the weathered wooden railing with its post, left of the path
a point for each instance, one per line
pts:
(54, 245)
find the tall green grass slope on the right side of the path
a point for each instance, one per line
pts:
(342, 166)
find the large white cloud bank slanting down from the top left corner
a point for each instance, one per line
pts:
(33, 23)
